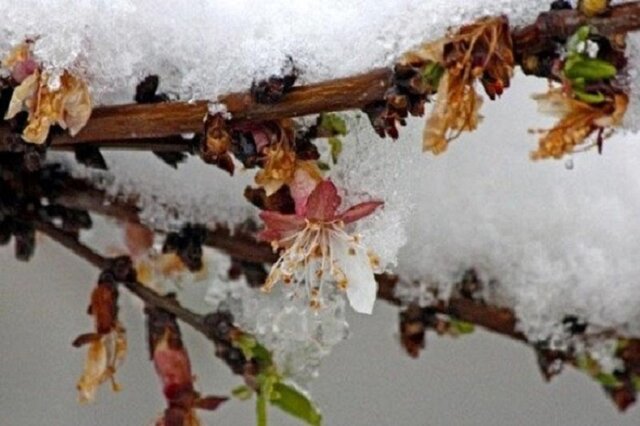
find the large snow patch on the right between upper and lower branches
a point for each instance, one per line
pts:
(558, 241)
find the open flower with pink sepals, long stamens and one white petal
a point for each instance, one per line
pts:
(318, 250)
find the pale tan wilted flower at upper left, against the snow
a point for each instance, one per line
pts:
(68, 106)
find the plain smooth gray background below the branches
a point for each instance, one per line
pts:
(481, 379)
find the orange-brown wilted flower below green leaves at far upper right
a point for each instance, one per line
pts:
(579, 120)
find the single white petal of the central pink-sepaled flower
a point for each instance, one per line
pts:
(362, 287)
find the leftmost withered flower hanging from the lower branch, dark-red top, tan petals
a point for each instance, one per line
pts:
(107, 345)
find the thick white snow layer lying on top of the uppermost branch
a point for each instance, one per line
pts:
(201, 49)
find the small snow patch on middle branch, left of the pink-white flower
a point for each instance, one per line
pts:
(196, 192)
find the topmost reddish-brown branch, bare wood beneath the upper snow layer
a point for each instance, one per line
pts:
(123, 126)
